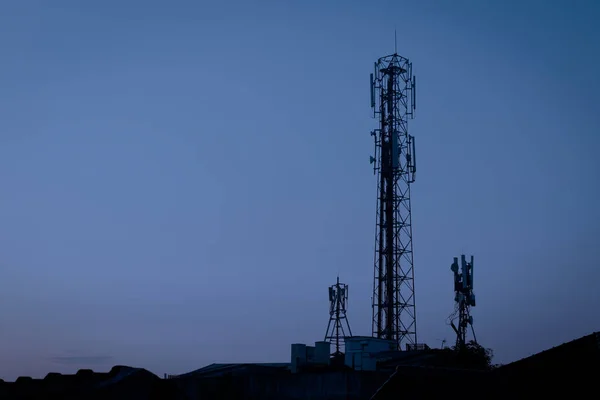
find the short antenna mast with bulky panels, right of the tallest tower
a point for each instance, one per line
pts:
(464, 299)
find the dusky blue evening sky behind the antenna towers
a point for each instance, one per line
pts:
(181, 181)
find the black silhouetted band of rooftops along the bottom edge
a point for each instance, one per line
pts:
(569, 369)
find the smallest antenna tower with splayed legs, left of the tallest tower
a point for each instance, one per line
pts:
(338, 324)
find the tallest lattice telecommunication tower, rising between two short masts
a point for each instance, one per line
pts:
(393, 99)
